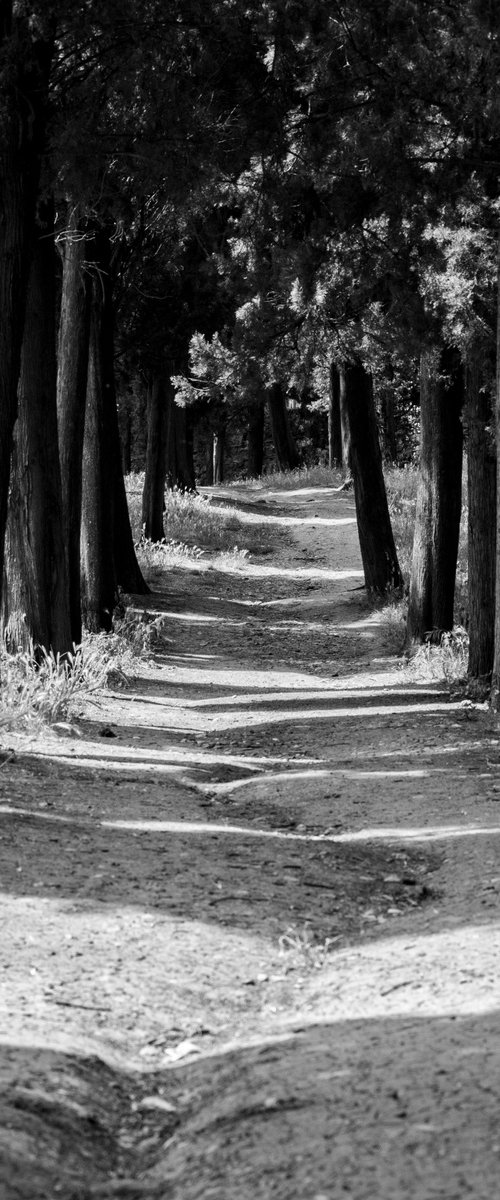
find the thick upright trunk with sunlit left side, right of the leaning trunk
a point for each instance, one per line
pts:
(439, 499)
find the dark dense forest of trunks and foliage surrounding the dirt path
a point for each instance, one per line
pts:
(242, 236)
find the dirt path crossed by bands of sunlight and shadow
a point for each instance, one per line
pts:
(250, 928)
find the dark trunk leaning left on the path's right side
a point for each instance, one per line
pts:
(377, 543)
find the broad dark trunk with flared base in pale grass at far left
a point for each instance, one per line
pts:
(38, 589)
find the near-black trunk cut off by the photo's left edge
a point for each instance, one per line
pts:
(23, 106)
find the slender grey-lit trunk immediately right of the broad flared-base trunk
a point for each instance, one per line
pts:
(73, 376)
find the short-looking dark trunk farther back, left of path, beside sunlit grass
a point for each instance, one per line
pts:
(156, 461)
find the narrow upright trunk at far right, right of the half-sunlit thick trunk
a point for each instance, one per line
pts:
(483, 515)
